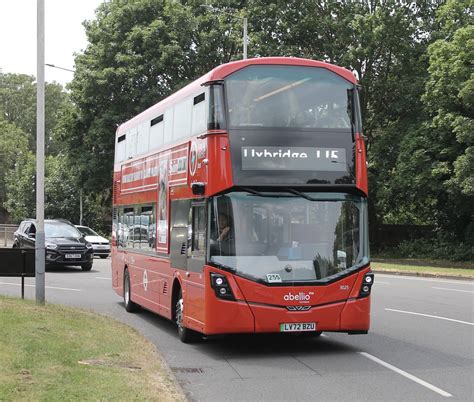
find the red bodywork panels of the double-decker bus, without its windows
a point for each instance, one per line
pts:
(205, 159)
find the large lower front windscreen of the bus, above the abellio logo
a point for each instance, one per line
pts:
(283, 237)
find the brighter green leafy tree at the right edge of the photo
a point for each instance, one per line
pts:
(449, 98)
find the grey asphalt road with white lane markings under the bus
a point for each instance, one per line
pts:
(420, 346)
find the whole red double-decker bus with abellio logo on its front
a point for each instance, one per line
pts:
(240, 203)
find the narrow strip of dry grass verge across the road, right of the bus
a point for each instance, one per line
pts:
(425, 267)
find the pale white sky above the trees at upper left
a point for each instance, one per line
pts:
(64, 35)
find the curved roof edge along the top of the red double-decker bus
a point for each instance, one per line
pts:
(223, 71)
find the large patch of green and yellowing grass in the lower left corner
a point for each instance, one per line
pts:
(55, 353)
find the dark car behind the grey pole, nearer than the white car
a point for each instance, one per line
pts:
(64, 244)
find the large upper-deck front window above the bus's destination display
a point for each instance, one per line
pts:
(288, 96)
